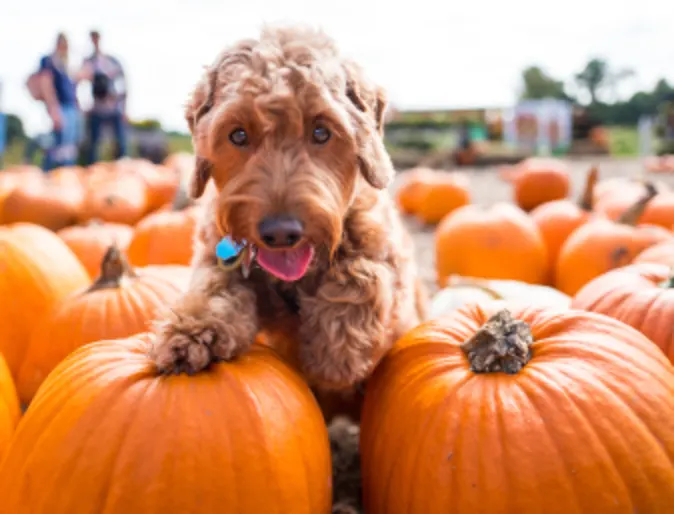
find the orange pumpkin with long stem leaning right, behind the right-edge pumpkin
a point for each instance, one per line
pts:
(602, 244)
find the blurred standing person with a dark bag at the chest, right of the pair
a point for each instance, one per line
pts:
(108, 88)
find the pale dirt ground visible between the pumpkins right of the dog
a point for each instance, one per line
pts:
(487, 188)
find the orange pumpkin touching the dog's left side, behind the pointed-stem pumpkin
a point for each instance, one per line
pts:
(166, 236)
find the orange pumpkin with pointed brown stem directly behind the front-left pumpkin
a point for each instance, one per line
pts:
(120, 303)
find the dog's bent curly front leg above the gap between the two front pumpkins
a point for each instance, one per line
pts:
(346, 326)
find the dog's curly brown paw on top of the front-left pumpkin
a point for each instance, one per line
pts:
(189, 346)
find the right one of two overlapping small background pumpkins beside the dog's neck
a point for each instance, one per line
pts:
(442, 194)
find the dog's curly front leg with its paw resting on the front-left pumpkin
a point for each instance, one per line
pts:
(215, 320)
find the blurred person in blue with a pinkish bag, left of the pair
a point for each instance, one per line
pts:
(53, 85)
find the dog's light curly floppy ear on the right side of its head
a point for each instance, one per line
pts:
(373, 159)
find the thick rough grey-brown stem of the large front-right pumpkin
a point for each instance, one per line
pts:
(501, 344)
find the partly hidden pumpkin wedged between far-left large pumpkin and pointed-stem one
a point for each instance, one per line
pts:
(90, 242)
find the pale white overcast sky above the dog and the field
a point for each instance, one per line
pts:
(427, 53)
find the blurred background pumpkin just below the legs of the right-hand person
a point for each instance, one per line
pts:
(118, 198)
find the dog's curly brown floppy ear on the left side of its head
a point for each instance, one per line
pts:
(199, 105)
